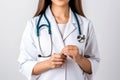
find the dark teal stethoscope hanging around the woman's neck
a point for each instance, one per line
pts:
(80, 37)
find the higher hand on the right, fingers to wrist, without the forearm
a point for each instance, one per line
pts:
(72, 51)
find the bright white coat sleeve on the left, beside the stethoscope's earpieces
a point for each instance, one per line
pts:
(27, 58)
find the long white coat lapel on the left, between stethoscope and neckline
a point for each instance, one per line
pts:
(58, 43)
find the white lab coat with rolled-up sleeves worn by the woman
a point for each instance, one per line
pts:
(30, 50)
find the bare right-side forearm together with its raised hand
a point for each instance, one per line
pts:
(73, 52)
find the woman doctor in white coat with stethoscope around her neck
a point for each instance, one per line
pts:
(59, 43)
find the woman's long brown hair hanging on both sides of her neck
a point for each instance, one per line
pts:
(76, 6)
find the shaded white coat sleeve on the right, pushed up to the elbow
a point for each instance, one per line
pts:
(91, 50)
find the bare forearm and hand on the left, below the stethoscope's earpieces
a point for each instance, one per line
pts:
(55, 61)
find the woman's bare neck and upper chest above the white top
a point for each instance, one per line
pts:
(61, 13)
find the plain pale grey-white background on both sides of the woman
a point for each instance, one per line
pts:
(105, 14)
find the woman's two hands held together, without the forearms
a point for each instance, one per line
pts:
(57, 60)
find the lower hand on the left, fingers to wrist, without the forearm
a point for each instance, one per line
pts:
(56, 60)
